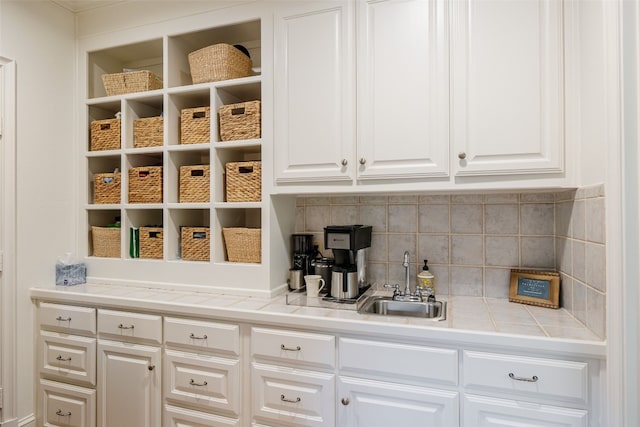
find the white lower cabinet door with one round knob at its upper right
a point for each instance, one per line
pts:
(129, 393)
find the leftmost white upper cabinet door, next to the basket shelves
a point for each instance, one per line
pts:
(314, 92)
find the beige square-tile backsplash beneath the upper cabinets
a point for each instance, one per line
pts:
(473, 240)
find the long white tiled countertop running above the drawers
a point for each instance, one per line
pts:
(470, 320)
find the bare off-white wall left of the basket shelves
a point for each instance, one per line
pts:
(39, 36)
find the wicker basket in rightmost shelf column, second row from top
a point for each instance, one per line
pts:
(240, 121)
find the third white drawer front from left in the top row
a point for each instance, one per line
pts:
(202, 336)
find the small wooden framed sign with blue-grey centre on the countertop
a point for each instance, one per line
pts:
(541, 288)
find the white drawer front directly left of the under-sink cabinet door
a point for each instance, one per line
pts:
(293, 396)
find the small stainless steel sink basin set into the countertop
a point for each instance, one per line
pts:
(386, 306)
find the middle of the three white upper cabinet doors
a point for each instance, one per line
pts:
(403, 89)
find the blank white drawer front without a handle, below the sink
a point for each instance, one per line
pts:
(398, 361)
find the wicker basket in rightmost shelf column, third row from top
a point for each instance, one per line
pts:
(244, 181)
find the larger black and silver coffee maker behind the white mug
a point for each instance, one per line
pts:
(349, 244)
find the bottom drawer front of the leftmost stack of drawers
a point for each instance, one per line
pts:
(67, 405)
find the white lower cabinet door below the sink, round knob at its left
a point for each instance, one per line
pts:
(365, 403)
